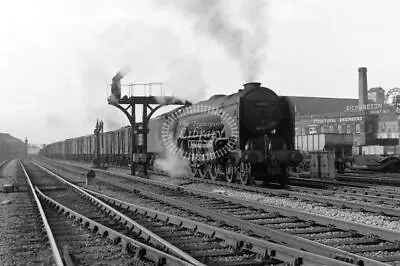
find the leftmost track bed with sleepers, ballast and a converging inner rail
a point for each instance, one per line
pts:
(104, 237)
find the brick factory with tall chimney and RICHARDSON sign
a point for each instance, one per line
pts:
(368, 125)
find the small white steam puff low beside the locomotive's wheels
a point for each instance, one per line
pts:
(173, 165)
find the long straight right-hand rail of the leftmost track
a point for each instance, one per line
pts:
(153, 238)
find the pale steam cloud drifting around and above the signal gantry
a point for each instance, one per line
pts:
(151, 54)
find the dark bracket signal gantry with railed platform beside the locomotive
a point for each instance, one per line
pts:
(150, 104)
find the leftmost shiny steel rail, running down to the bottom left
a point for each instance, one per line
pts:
(56, 253)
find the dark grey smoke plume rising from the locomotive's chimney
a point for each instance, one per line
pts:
(246, 42)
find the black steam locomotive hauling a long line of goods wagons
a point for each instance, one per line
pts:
(249, 134)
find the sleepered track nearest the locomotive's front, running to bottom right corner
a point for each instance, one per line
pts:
(290, 227)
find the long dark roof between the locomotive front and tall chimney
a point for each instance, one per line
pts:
(320, 105)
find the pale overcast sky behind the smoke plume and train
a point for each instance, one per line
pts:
(57, 57)
